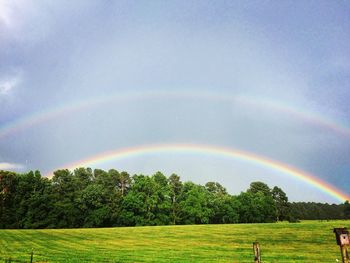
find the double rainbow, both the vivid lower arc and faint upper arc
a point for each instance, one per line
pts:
(303, 115)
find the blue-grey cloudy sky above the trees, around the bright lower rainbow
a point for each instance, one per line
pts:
(270, 78)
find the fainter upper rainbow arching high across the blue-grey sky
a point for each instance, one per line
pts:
(46, 115)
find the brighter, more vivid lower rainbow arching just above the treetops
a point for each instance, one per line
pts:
(211, 150)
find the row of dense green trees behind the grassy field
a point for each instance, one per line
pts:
(98, 198)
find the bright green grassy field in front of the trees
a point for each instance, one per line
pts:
(309, 241)
